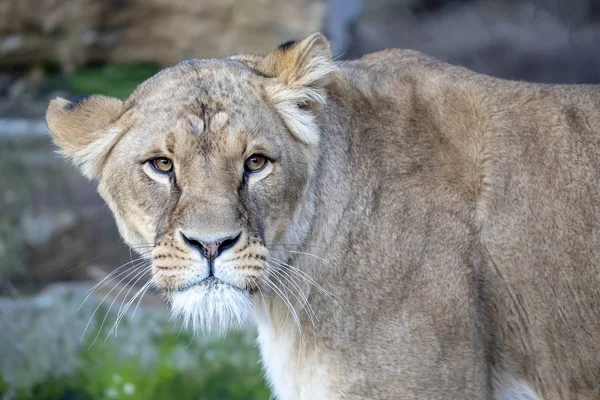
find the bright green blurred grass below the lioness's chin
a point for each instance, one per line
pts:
(223, 370)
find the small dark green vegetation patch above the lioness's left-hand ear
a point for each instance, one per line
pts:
(116, 80)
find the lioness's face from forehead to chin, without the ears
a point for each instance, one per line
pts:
(209, 182)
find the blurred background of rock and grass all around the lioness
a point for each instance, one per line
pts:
(57, 238)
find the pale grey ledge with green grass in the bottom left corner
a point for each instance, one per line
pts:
(149, 359)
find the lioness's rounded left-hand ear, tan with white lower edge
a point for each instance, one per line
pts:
(83, 131)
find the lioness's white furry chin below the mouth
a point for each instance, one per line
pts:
(211, 306)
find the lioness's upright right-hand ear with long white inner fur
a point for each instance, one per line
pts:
(301, 71)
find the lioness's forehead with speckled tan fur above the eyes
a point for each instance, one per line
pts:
(200, 103)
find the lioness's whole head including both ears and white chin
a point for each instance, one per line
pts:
(207, 165)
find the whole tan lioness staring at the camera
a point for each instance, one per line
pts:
(398, 228)
